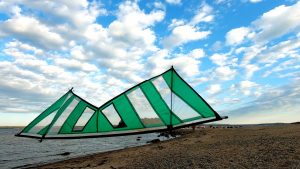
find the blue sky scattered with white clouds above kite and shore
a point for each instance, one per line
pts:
(241, 56)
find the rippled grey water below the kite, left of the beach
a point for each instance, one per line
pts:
(18, 152)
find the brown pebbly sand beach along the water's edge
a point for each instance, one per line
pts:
(246, 147)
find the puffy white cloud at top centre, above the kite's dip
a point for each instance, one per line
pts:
(132, 26)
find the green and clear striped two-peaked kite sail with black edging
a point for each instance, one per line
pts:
(161, 103)
